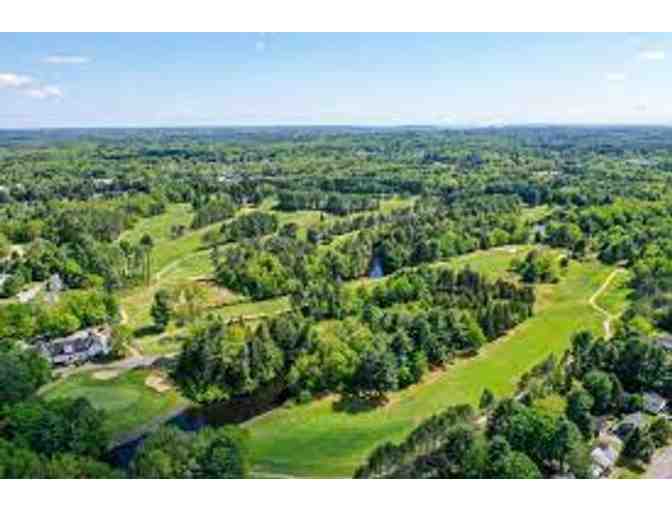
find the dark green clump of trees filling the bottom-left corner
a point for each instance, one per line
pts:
(61, 438)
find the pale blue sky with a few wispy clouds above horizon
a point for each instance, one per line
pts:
(130, 80)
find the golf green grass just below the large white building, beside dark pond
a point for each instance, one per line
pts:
(129, 403)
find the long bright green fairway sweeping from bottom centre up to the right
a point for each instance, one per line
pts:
(316, 440)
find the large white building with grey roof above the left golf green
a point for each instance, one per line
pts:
(78, 347)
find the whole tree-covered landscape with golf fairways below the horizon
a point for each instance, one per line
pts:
(342, 277)
